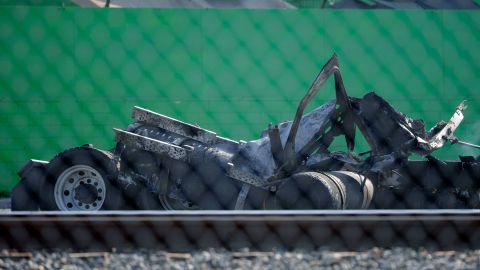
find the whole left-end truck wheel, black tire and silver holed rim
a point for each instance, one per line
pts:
(81, 179)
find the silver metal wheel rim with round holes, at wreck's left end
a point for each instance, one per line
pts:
(80, 188)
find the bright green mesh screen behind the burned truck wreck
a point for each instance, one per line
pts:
(69, 75)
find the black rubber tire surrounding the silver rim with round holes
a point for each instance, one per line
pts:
(86, 157)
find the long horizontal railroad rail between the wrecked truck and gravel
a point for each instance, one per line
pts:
(185, 231)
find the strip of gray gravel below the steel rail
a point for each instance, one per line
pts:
(396, 258)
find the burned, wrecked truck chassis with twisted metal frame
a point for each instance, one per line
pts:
(163, 163)
